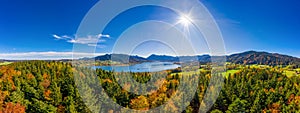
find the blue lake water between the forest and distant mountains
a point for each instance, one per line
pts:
(143, 67)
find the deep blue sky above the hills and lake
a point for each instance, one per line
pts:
(46, 29)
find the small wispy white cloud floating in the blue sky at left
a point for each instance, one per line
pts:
(90, 40)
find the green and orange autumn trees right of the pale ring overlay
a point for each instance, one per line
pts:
(259, 90)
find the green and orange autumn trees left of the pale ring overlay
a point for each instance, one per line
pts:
(39, 87)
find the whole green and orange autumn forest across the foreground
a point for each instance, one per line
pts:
(54, 86)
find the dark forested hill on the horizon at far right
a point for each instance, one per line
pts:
(265, 58)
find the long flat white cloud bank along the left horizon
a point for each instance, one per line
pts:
(50, 55)
